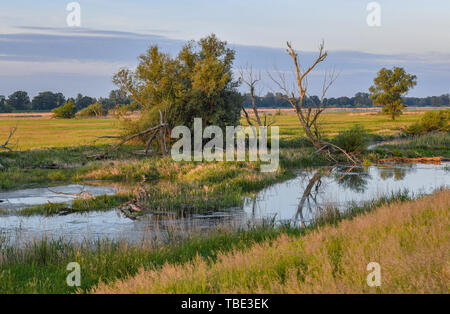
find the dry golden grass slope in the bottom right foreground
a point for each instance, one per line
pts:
(410, 241)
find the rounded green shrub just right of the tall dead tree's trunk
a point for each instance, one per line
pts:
(353, 140)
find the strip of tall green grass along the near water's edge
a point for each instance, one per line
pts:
(40, 267)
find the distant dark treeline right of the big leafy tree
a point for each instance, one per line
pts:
(360, 100)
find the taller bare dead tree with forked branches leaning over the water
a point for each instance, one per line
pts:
(296, 93)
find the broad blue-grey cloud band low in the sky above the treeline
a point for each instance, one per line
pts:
(86, 56)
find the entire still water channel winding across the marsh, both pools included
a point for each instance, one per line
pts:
(295, 200)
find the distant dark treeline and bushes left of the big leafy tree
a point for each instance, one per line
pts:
(47, 101)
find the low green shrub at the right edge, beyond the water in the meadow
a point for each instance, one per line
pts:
(430, 122)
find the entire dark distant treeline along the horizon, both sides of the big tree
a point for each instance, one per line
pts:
(47, 101)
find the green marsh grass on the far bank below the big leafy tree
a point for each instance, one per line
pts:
(178, 186)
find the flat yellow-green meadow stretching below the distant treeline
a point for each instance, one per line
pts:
(37, 130)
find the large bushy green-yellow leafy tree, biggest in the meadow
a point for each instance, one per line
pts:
(198, 82)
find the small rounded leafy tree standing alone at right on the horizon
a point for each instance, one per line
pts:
(388, 89)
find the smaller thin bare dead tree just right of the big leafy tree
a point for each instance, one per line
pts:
(251, 79)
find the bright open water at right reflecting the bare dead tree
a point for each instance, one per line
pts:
(312, 191)
